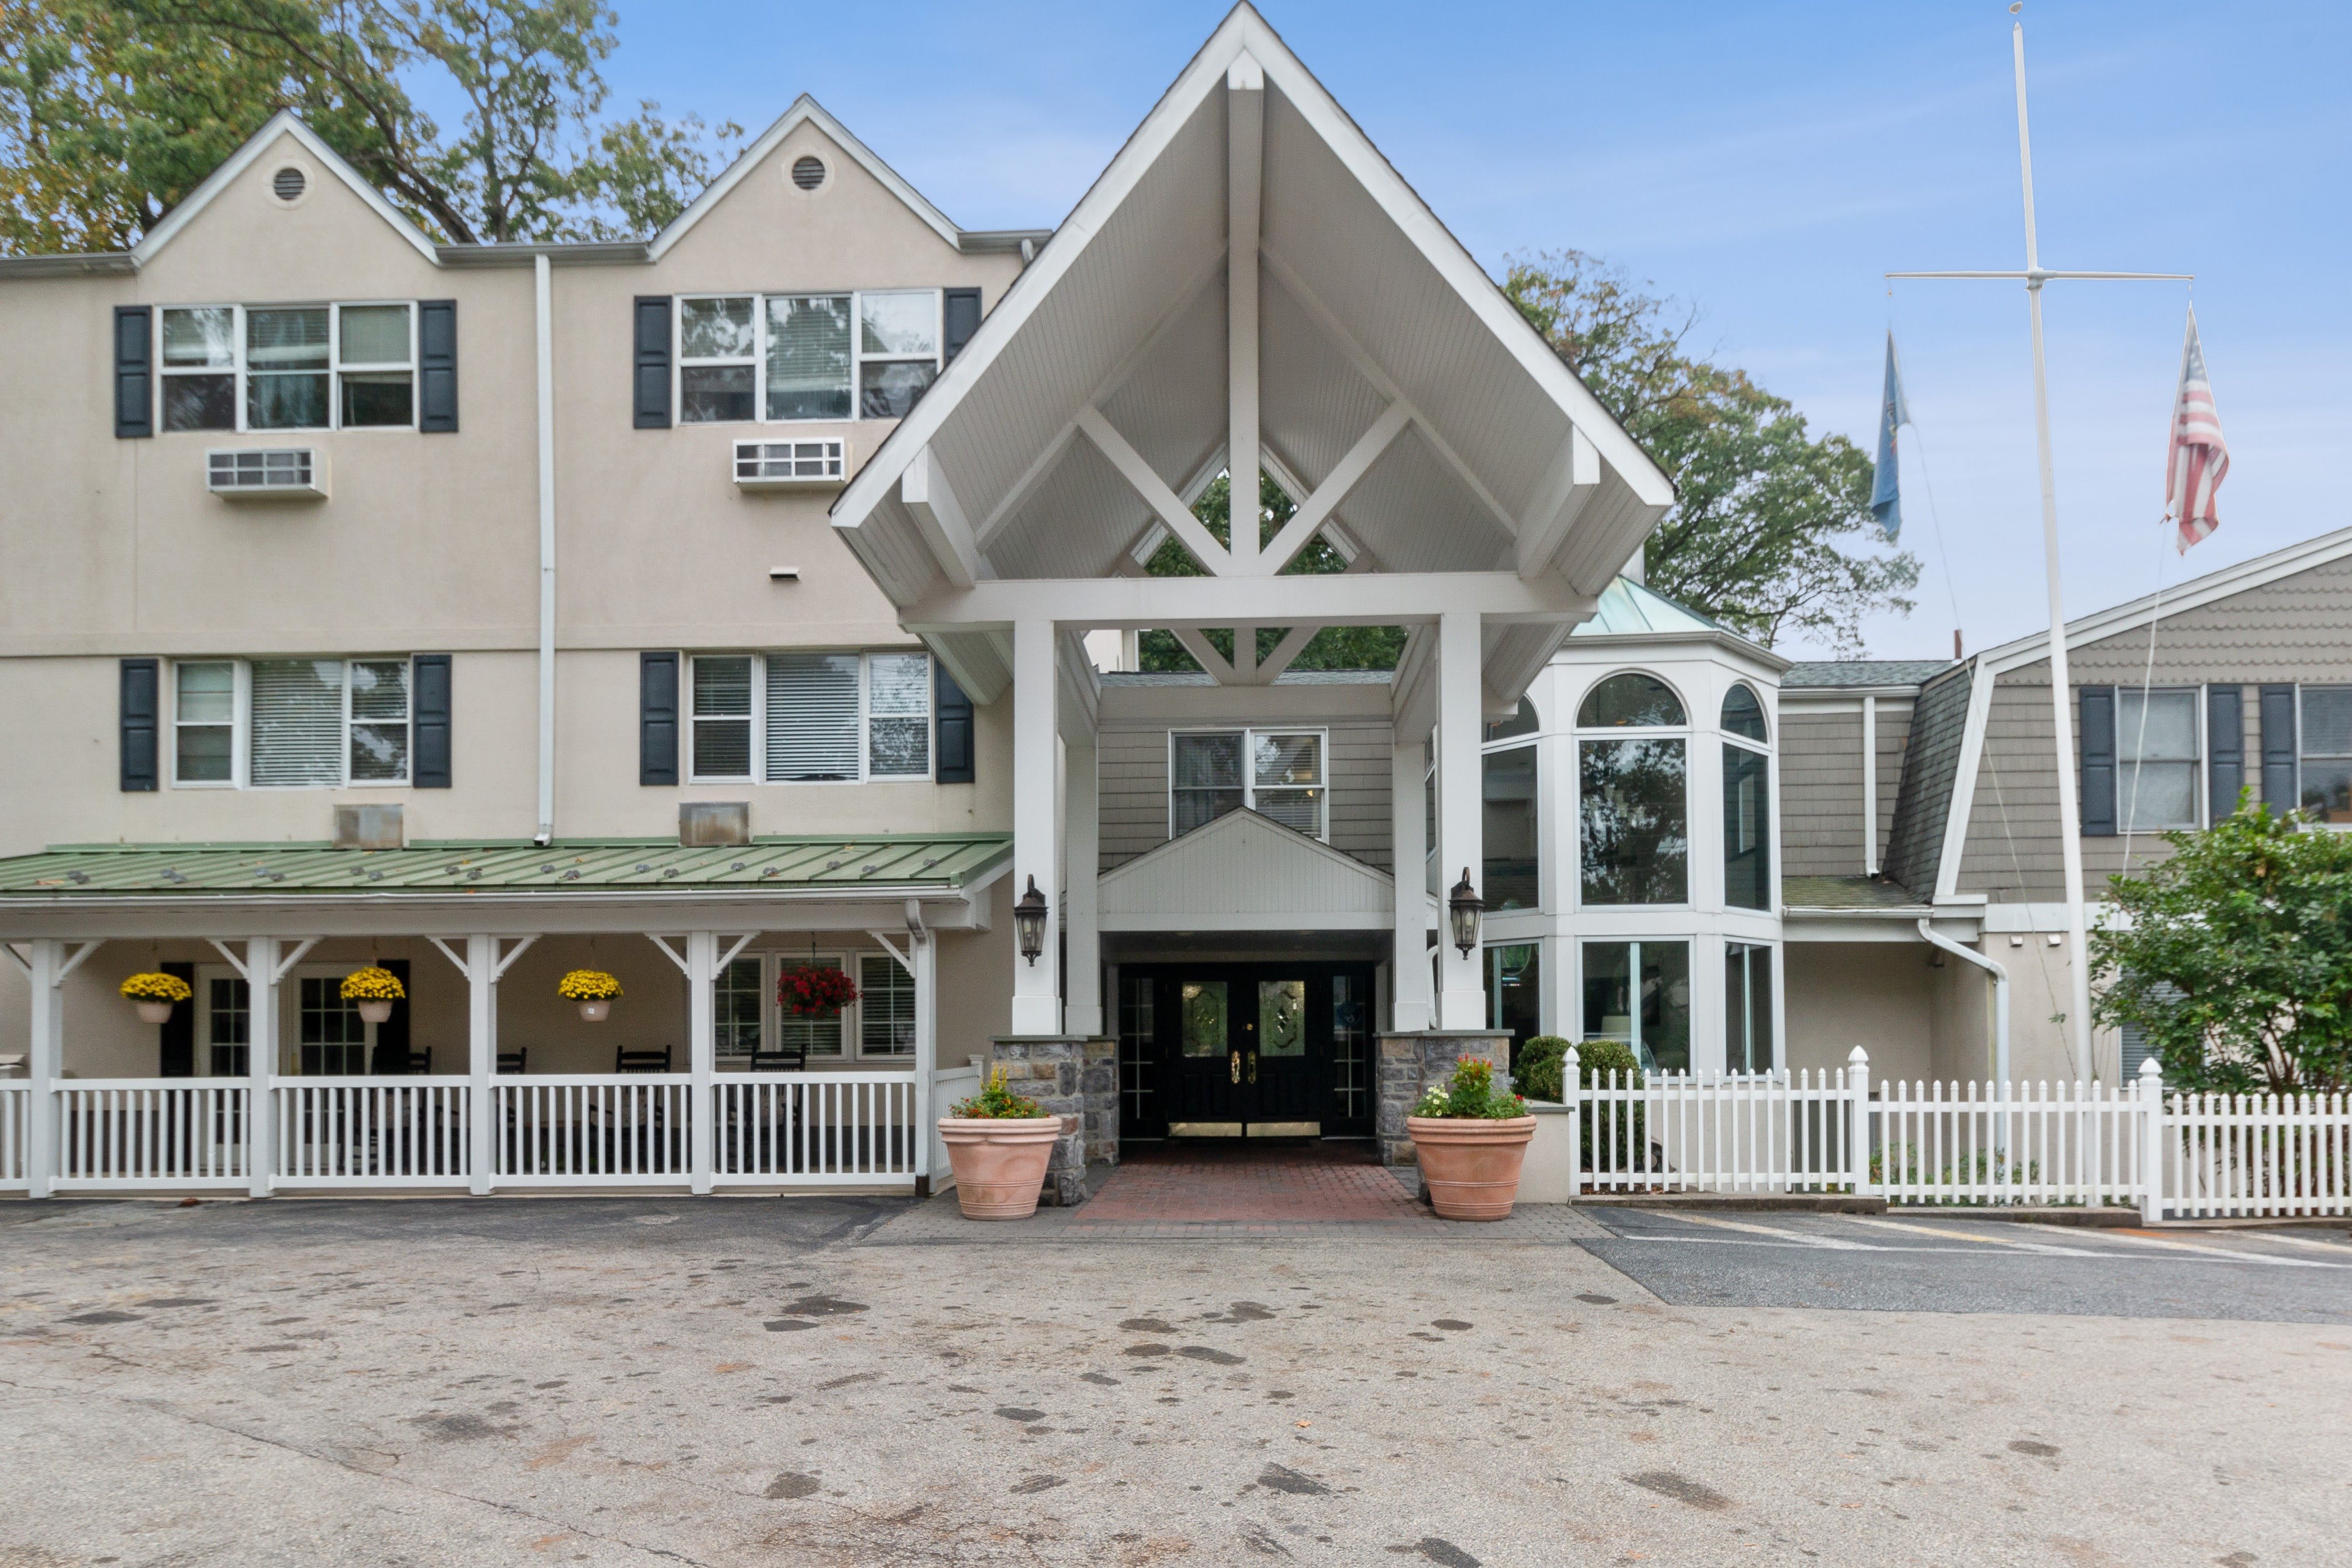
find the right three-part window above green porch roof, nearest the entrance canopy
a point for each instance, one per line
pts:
(810, 718)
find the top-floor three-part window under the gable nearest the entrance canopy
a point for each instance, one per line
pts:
(806, 356)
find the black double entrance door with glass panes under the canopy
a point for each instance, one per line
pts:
(1257, 1050)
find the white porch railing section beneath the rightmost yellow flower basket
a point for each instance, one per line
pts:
(592, 1130)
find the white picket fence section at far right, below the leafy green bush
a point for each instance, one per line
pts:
(2257, 1155)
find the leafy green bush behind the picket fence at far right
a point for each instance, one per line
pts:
(2233, 958)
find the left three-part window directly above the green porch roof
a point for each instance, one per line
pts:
(290, 723)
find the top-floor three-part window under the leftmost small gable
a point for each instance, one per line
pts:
(290, 368)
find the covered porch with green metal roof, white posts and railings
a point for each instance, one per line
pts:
(483, 1078)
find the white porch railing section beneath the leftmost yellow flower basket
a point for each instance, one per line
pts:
(119, 1134)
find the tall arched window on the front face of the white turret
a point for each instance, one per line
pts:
(1633, 796)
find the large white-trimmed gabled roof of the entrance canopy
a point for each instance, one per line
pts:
(1382, 342)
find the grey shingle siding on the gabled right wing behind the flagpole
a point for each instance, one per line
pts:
(2287, 631)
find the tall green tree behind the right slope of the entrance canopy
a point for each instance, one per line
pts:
(1772, 528)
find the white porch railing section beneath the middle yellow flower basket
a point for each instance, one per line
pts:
(401, 1132)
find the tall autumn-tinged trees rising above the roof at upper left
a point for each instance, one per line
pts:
(114, 112)
